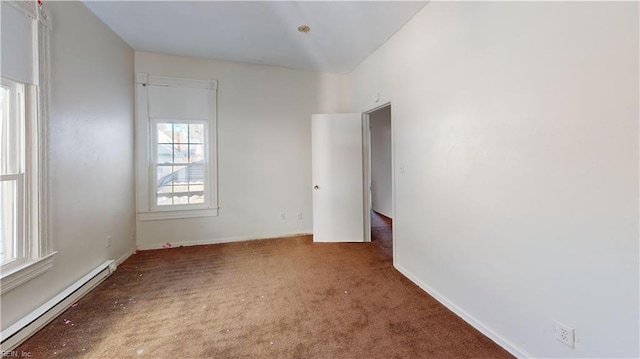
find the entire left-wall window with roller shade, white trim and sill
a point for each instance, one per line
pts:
(24, 91)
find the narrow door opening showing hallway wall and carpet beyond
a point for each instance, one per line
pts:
(380, 178)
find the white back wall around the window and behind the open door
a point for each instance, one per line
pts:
(264, 151)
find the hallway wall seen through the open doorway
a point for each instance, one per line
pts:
(381, 170)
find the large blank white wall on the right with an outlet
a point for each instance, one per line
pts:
(517, 124)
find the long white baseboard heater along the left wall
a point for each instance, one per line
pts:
(43, 315)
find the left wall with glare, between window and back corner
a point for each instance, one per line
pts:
(90, 154)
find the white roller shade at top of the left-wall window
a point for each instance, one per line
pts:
(16, 44)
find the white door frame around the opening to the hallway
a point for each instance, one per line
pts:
(366, 168)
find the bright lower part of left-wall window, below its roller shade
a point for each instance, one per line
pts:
(22, 231)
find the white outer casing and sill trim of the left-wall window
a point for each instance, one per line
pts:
(41, 261)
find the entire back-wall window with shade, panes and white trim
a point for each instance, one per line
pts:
(176, 163)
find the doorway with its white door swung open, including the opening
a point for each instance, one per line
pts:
(352, 174)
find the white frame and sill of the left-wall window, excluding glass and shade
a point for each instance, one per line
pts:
(37, 253)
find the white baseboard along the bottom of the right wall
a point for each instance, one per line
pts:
(481, 327)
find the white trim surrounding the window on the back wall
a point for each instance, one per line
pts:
(147, 210)
